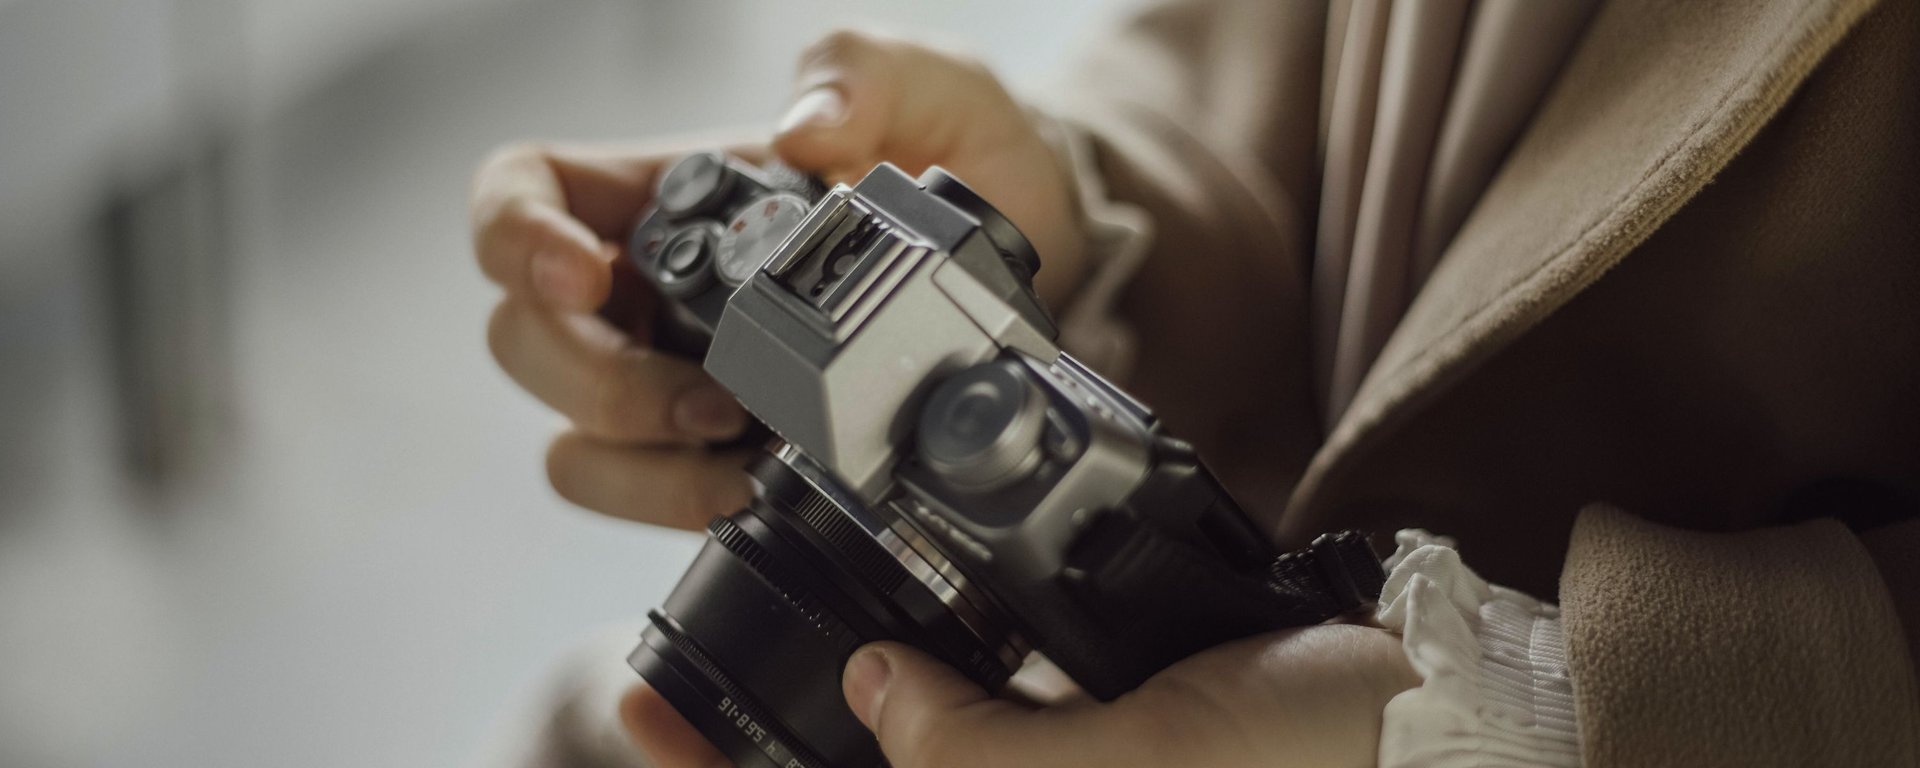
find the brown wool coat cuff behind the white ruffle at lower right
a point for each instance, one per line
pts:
(1769, 648)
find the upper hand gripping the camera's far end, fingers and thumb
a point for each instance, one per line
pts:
(550, 224)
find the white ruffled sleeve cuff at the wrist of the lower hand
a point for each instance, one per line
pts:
(1495, 665)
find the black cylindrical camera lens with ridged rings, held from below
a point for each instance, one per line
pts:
(752, 642)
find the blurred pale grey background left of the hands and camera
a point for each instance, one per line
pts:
(264, 498)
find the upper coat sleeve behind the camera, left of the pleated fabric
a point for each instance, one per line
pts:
(1205, 116)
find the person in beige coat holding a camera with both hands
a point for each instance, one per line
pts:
(1623, 297)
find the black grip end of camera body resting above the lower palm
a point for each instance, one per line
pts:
(1180, 569)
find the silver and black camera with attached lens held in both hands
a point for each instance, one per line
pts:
(940, 471)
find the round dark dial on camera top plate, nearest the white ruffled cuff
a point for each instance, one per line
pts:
(982, 427)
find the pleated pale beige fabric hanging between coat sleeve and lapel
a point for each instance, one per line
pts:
(1424, 101)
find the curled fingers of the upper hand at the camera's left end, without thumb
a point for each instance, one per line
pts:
(548, 229)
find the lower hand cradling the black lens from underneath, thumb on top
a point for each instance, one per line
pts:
(1297, 698)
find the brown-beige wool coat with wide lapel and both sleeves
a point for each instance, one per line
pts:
(1692, 295)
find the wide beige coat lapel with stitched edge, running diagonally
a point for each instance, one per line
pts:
(1658, 99)
